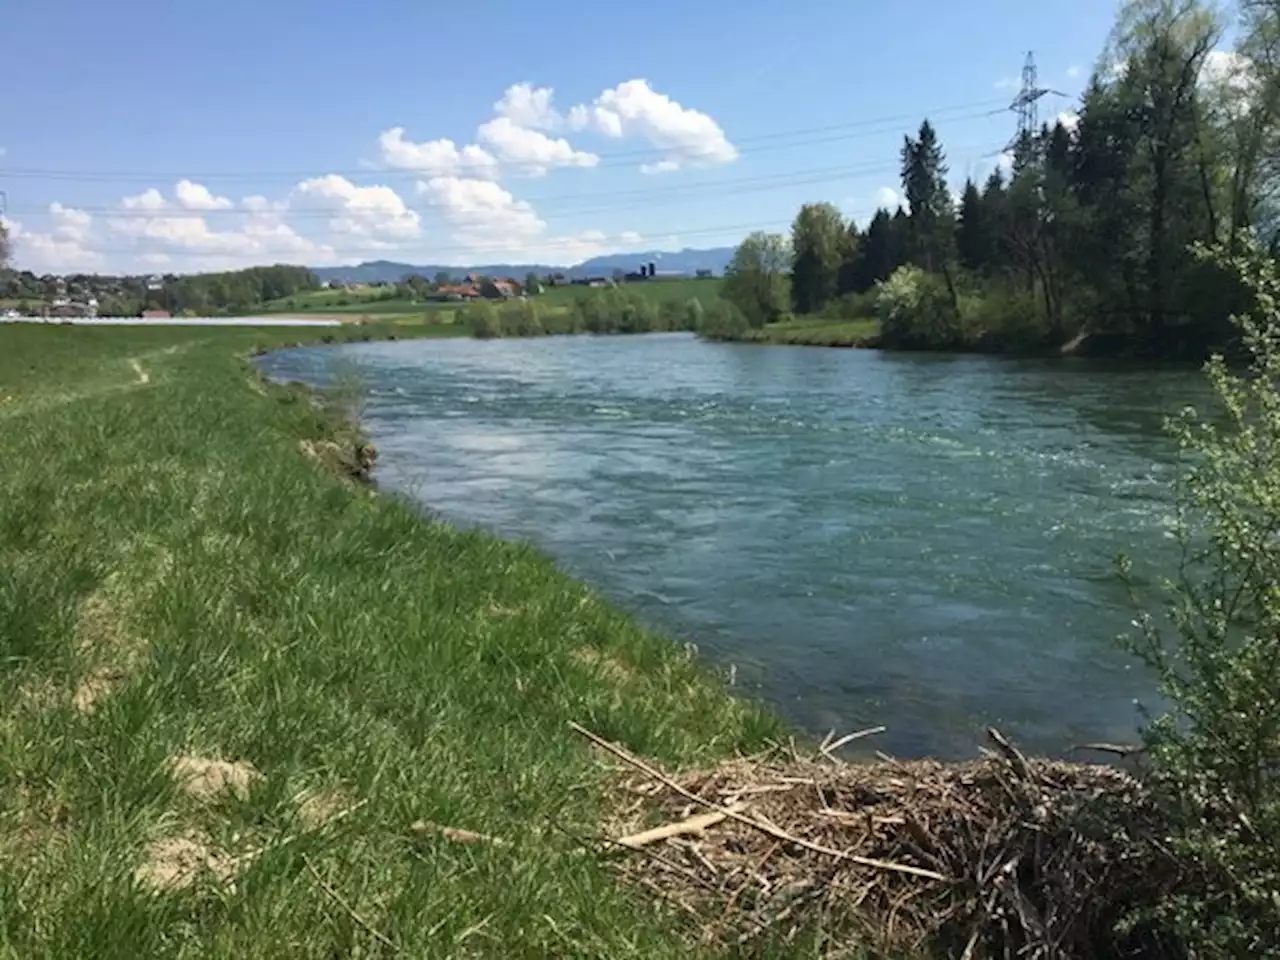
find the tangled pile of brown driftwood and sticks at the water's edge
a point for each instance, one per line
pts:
(1000, 857)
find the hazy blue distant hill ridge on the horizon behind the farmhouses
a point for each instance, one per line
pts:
(680, 262)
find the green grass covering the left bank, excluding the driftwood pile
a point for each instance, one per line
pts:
(182, 584)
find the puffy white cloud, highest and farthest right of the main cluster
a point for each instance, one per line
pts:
(634, 109)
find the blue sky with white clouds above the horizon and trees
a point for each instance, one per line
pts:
(150, 136)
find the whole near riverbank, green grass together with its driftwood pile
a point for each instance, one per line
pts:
(258, 710)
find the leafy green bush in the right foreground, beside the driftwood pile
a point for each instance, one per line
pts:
(1215, 756)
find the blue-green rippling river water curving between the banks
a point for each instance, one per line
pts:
(921, 542)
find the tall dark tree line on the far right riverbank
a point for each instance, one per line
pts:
(1091, 226)
